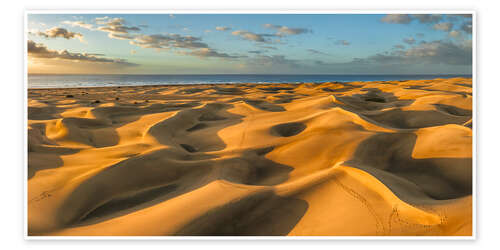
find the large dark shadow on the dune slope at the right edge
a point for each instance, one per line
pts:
(387, 156)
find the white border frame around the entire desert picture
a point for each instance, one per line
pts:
(255, 11)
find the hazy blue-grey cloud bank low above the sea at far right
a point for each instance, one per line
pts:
(435, 52)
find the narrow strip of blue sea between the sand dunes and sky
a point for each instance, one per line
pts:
(72, 81)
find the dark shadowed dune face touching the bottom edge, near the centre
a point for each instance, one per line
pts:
(261, 214)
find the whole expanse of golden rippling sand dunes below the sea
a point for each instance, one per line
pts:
(332, 159)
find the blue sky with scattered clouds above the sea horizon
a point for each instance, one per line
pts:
(249, 44)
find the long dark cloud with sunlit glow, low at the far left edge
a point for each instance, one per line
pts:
(38, 50)
